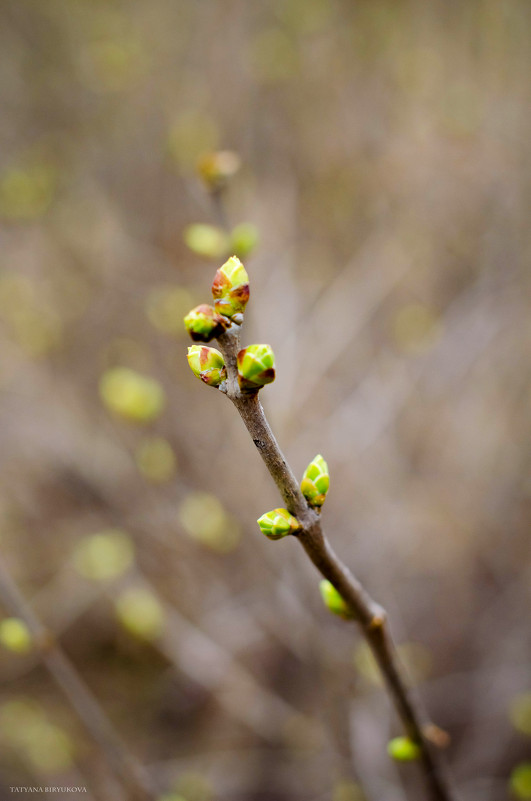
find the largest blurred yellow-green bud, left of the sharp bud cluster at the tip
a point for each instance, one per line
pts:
(131, 395)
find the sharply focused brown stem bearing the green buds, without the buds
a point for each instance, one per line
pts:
(370, 616)
